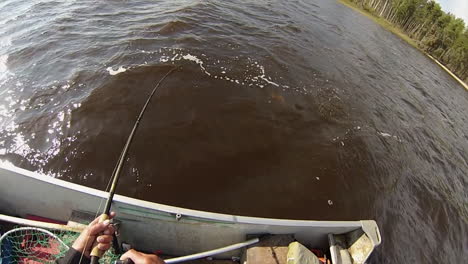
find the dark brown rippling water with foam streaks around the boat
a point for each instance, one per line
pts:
(286, 109)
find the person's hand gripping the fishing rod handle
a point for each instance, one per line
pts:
(103, 231)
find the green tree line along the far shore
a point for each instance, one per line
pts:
(423, 24)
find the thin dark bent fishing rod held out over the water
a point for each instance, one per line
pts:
(96, 253)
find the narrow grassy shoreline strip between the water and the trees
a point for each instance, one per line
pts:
(390, 27)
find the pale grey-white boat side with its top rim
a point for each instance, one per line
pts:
(152, 226)
